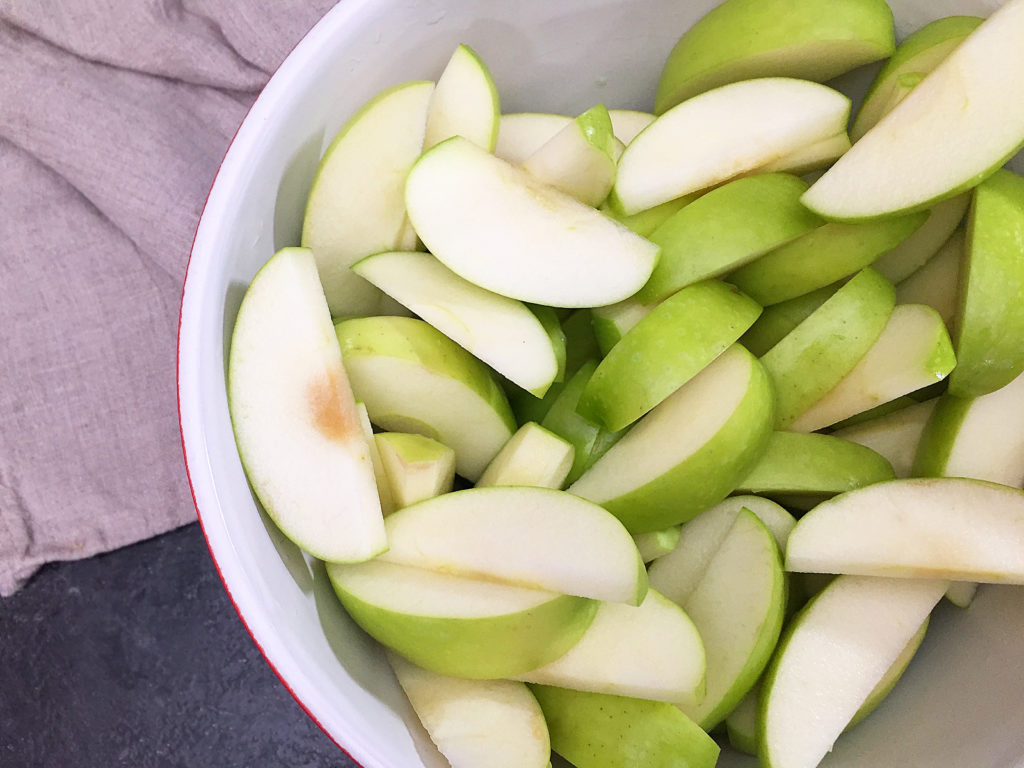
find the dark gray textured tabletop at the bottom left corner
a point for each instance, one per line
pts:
(138, 659)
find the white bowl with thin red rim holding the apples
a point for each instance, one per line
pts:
(962, 703)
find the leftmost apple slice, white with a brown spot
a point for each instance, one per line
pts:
(295, 420)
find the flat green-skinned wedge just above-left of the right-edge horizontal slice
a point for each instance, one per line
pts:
(796, 463)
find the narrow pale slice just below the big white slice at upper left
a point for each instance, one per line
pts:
(502, 332)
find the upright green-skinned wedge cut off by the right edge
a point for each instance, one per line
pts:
(991, 323)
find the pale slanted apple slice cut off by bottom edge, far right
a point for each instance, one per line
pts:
(833, 656)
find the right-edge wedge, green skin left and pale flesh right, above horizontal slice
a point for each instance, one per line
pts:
(979, 438)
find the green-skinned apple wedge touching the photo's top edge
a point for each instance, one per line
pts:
(745, 39)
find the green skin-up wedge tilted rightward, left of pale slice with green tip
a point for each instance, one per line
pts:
(818, 354)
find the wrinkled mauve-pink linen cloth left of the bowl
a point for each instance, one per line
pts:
(114, 118)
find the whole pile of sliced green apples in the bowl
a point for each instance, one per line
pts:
(645, 339)
